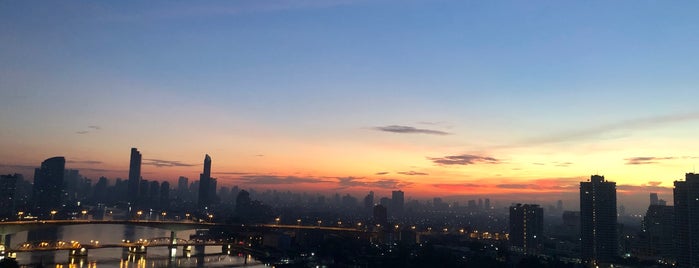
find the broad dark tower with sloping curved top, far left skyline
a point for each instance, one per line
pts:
(48, 189)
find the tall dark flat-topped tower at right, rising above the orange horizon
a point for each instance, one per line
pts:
(598, 220)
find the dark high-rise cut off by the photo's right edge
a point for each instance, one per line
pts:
(686, 200)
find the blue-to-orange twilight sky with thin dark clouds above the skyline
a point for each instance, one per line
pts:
(437, 98)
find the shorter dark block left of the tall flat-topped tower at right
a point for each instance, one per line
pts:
(526, 227)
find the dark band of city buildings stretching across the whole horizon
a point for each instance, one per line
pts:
(598, 234)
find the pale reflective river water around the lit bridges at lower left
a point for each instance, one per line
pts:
(212, 256)
